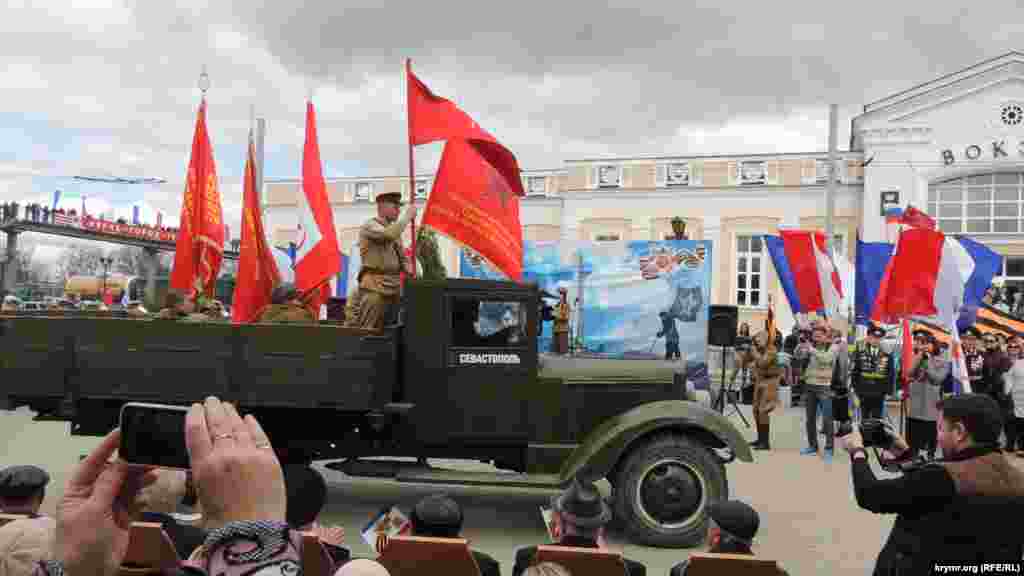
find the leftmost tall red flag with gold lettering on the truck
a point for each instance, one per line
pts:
(201, 236)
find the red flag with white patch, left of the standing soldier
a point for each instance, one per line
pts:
(318, 258)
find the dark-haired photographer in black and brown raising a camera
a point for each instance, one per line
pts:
(962, 509)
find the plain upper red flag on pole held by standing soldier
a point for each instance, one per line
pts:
(433, 118)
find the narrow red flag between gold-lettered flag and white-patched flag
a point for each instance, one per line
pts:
(258, 269)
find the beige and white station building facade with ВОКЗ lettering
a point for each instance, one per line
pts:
(954, 148)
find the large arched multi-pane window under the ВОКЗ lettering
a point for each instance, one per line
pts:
(979, 204)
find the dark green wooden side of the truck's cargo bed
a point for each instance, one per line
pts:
(53, 363)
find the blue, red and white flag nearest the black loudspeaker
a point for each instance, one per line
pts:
(808, 274)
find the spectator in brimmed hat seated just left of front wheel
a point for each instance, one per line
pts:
(579, 518)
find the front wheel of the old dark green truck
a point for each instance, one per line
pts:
(664, 489)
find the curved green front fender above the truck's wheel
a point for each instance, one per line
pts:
(603, 448)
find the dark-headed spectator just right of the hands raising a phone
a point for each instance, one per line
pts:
(307, 499)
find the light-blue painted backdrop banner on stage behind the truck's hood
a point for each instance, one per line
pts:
(631, 294)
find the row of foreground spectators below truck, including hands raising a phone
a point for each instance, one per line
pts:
(254, 513)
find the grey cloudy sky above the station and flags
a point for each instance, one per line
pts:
(108, 89)
